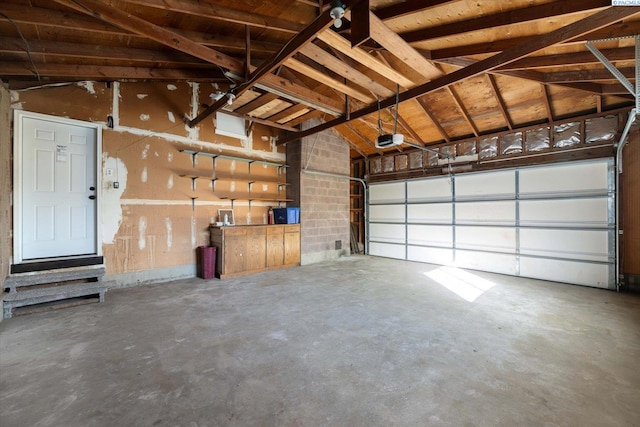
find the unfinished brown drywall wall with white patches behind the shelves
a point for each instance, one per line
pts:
(158, 215)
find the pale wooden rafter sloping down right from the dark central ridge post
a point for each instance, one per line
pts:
(396, 46)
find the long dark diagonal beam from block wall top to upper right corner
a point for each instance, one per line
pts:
(569, 32)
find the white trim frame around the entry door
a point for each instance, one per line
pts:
(18, 115)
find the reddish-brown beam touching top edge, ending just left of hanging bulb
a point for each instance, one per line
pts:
(211, 11)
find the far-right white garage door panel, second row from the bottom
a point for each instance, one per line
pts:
(589, 245)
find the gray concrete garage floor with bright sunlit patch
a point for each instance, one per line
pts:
(358, 342)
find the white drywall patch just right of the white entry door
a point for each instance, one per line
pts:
(113, 170)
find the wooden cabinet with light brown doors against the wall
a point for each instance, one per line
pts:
(245, 249)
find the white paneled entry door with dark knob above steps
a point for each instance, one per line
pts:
(57, 186)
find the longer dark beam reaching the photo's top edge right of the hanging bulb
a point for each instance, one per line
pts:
(526, 14)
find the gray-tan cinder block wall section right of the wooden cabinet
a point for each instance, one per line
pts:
(323, 199)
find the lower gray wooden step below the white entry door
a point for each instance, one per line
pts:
(52, 293)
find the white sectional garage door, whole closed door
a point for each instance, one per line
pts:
(552, 222)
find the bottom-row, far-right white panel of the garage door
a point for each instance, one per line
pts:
(574, 272)
